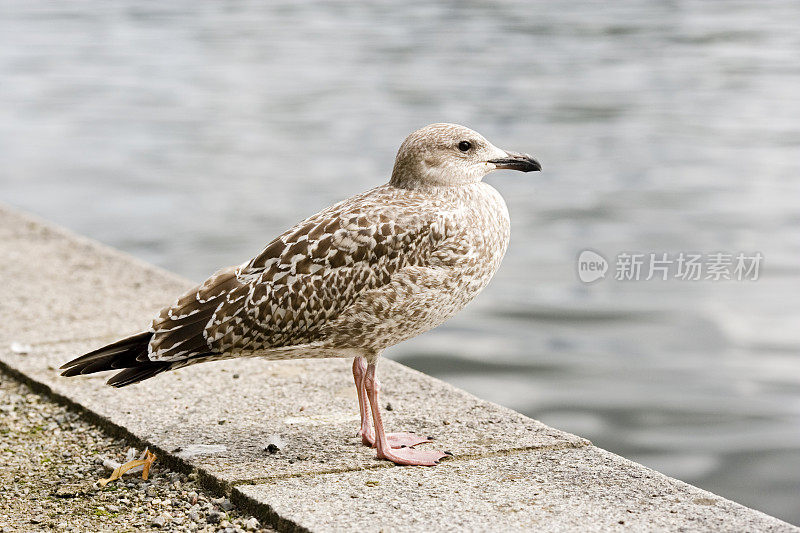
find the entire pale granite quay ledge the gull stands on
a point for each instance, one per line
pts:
(63, 294)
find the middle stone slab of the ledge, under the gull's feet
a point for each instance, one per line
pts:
(311, 405)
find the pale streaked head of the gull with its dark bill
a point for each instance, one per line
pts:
(452, 155)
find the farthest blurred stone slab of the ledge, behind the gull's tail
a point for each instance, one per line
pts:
(59, 286)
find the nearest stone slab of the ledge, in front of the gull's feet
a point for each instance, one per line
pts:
(583, 489)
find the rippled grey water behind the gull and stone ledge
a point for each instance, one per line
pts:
(190, 134)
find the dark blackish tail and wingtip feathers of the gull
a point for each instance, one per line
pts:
(129, 354)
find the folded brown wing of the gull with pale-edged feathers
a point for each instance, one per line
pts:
(301, 281)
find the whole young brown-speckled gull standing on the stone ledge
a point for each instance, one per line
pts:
(350, 281)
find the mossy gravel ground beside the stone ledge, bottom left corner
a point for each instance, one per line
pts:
(50, 461)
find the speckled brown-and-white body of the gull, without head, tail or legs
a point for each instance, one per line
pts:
(356, 278)
